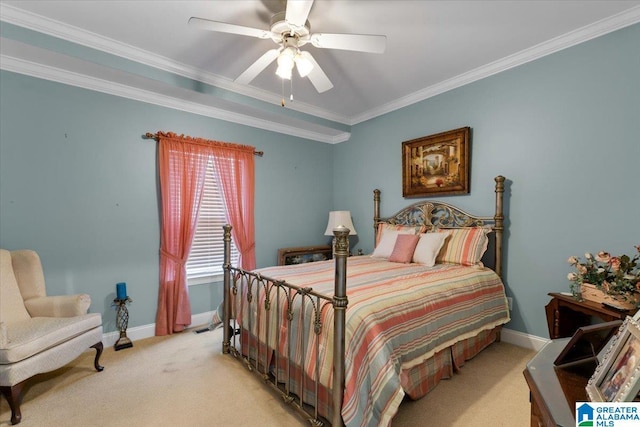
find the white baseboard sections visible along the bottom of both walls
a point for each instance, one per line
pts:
(147, 331)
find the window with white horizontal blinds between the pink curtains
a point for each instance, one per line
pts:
(207, 251)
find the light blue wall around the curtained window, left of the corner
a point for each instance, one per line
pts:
(78, 185)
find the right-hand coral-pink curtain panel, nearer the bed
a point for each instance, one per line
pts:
(235, 167)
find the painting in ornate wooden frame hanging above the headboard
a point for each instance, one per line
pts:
(436, 164)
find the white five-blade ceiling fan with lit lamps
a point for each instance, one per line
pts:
(291, 30)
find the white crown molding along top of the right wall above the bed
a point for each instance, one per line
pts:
(580, 35)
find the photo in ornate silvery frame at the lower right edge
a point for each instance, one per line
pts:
(617, 377)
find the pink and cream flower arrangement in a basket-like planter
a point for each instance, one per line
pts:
(614, 275)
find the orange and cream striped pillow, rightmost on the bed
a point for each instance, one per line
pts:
(464, 246)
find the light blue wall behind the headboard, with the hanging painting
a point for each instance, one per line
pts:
(564, 130)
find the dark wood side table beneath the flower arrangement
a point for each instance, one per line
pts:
(565, 314)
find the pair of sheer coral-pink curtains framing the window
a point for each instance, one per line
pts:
(182, 164)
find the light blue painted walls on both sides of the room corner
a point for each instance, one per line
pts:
(78, 183)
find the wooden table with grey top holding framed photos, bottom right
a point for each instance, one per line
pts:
(554, 391)
